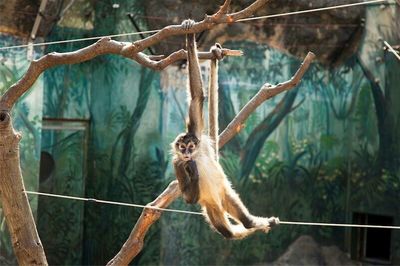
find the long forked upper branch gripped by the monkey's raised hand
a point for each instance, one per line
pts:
(129, 50)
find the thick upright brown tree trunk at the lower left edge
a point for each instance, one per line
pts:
(25, 239)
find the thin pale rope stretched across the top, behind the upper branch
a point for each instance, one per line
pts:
(240, 20)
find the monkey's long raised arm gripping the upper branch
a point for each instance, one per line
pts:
(195, 123)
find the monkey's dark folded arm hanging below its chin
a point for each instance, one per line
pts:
(188, 179)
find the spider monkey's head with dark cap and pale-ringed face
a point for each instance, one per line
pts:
(186, 146)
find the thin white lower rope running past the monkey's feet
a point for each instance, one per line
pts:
(199, 213)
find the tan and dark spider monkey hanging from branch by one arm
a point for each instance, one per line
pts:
(201, 178)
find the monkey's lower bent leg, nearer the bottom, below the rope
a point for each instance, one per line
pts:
(220, 222)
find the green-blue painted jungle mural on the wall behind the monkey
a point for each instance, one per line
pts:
(327, 151)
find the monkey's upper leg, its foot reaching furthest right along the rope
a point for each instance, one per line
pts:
(235, 207)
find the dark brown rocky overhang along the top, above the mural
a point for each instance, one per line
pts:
(332, 35)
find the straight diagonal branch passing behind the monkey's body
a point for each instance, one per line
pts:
(134, 243)
